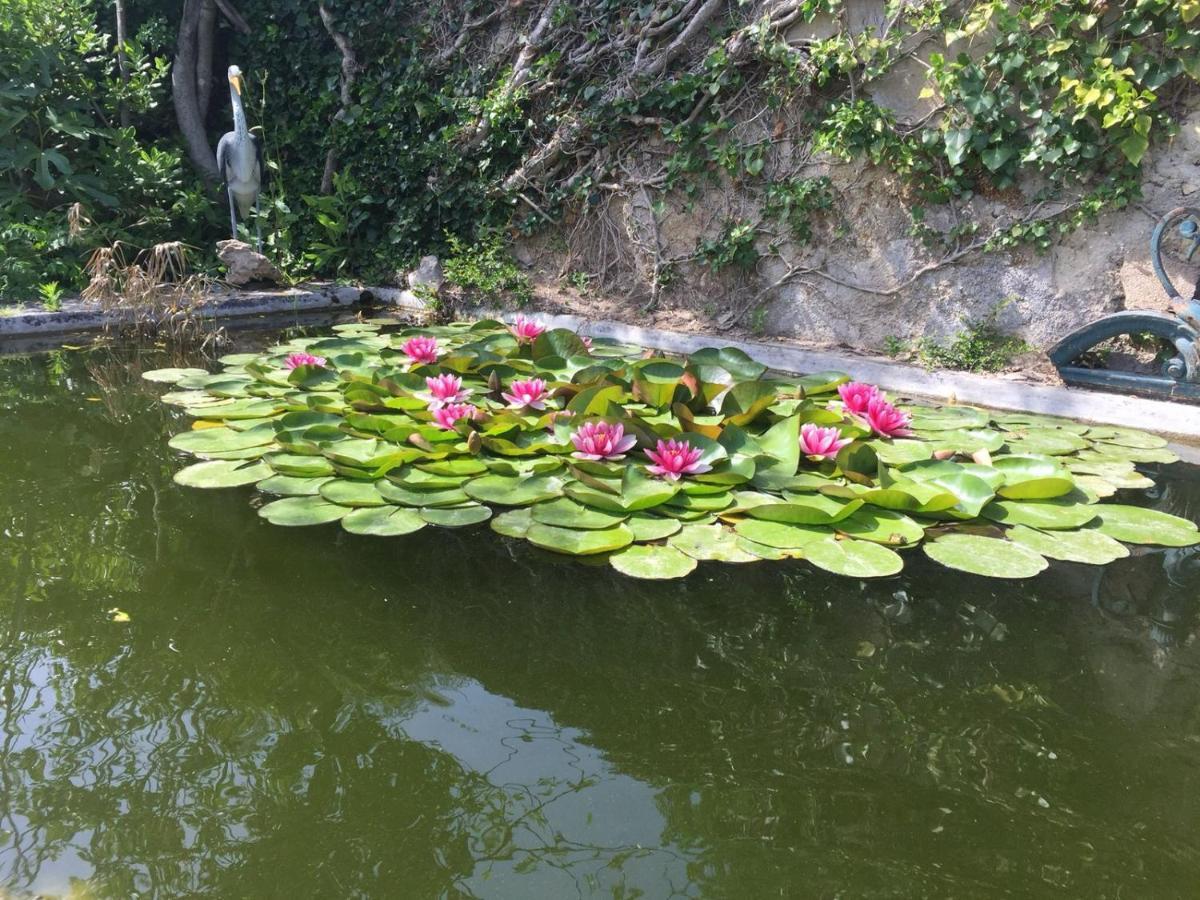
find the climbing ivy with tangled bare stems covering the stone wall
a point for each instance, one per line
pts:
(596, 121)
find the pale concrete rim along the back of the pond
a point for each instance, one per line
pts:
(1179, 422)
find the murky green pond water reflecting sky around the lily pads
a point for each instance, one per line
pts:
(200, 704)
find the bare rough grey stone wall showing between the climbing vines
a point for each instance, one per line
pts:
(867, 283)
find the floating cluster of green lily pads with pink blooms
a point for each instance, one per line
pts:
(597, 449)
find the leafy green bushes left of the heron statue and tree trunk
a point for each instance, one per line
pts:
(62, 149)
